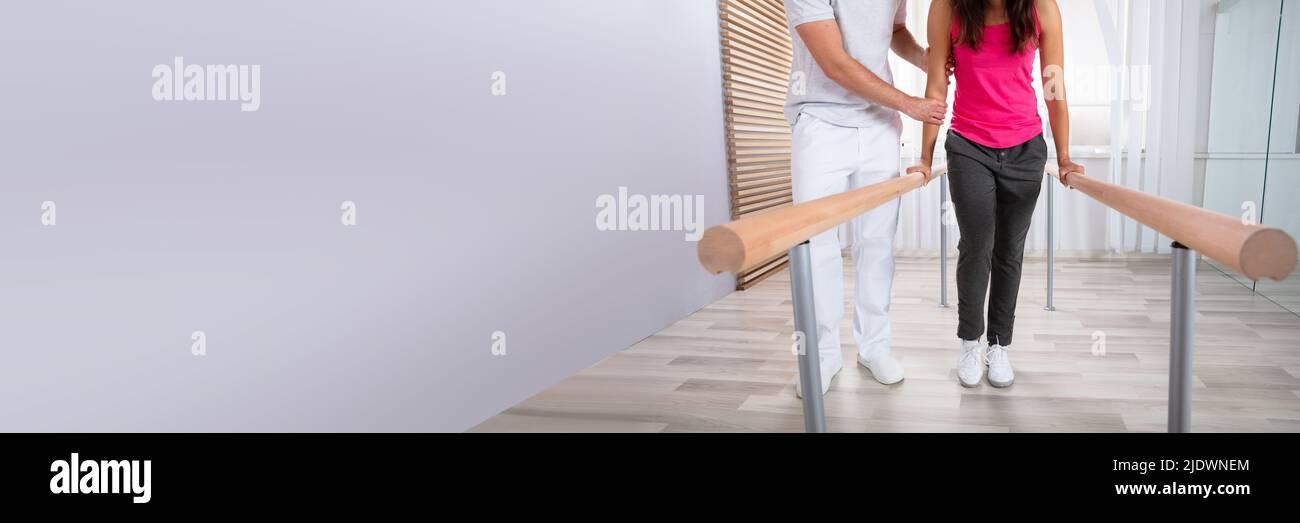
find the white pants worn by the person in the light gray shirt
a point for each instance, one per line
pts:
(826, 161)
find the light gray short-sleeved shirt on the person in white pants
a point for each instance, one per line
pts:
(868, 29)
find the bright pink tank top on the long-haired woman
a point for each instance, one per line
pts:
(996, 105)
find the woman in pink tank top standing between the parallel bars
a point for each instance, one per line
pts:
(996, 157)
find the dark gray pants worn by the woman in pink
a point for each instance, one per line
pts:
(994, 193)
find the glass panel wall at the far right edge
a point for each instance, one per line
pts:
(1251, 158)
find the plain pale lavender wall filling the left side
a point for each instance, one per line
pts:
(475, 213)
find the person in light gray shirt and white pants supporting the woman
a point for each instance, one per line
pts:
(844, 111)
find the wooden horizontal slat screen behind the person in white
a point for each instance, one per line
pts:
(756, 77)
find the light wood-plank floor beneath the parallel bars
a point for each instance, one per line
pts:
(729, 368)
